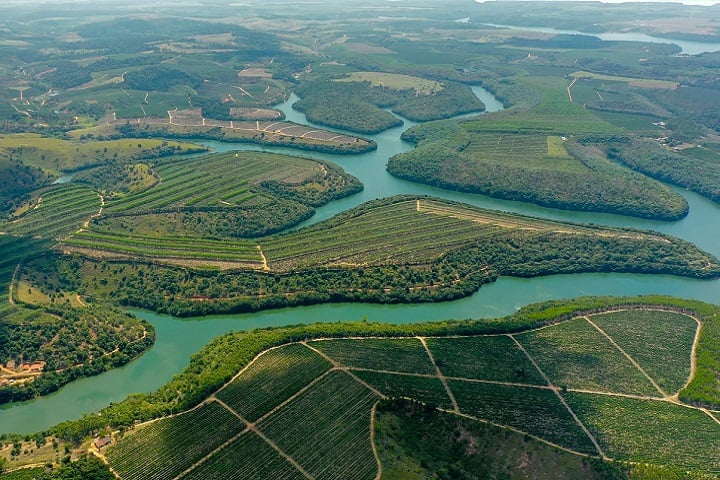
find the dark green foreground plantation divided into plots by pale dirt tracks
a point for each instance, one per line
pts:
(313, 416)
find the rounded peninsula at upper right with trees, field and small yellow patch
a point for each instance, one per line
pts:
(537, 167)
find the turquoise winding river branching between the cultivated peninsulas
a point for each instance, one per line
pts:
(177, 339)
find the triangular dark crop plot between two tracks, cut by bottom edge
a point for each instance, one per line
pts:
(249, 458)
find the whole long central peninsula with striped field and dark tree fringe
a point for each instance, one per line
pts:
(382, 251)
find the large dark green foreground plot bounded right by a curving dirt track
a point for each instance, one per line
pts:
(327, 429)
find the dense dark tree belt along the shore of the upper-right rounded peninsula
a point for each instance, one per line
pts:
(586, 183)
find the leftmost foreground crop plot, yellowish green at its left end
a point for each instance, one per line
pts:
(167, 447)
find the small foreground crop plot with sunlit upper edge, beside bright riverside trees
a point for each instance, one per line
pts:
(271, 379)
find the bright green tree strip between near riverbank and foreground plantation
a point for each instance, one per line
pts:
(204, 375)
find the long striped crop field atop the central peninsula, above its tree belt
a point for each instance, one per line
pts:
(396, 231)
